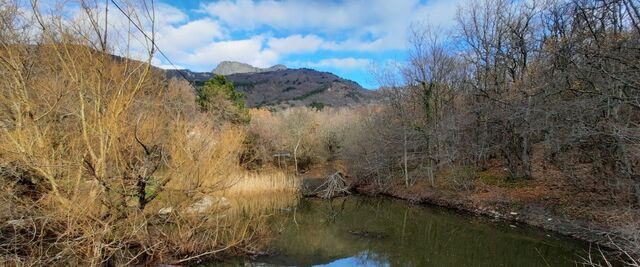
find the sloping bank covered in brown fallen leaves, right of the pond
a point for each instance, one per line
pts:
(548, 200)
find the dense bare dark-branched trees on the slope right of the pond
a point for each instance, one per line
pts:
(562, 75)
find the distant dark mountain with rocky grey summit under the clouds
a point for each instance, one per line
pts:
(279, 87)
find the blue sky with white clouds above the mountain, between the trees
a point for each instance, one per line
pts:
(343, 37)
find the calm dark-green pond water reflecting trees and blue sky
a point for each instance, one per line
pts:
(364, 231)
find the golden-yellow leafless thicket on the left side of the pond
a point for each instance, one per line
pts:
(102, 160)
